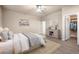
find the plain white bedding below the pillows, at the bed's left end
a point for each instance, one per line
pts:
(6, 47)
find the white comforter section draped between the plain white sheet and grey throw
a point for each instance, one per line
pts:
(20, 43)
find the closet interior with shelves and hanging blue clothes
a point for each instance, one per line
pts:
(73, 26)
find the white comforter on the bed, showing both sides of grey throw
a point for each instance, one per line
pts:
(18, 44)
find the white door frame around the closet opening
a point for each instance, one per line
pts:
(63, 26)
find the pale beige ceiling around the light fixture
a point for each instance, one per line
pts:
(32, 10)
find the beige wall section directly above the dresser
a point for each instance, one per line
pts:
(54, 18)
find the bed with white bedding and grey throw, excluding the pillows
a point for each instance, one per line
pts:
(21, 42)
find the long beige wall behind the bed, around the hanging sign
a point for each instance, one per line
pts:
(11, 18)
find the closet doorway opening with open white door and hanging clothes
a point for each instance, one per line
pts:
(71, 27)
